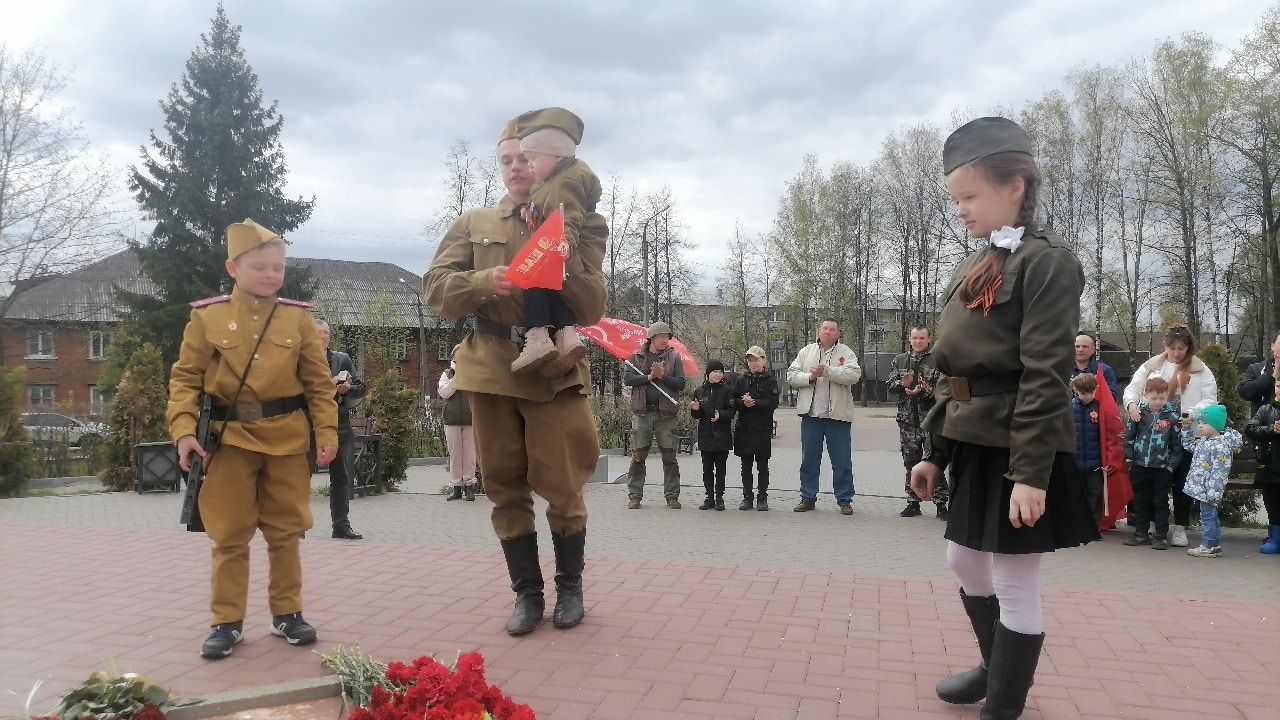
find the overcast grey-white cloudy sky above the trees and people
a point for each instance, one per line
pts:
(720, 101)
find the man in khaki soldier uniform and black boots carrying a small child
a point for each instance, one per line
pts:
(533, 435)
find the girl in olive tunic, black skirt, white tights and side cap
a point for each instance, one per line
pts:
(1003, 423)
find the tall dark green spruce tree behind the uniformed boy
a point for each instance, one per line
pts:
(220, 162)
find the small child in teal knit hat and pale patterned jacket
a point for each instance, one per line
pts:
(1212, 464)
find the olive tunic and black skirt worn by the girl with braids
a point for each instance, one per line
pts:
(1017, 427)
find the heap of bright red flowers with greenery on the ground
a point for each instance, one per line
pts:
(424, 690)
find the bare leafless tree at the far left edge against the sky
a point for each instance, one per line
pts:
(56, 211)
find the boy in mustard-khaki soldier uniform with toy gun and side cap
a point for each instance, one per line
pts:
(262, 361)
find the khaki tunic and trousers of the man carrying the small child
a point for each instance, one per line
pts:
(533, 435)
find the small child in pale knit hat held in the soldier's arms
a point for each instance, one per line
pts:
(548, 139)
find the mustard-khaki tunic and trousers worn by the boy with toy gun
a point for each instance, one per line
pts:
(259, 476)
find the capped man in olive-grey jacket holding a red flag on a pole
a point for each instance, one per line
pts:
(656, 377)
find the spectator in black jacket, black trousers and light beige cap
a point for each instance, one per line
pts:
(756, 398)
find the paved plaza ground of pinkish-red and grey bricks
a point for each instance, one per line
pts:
(755, 616)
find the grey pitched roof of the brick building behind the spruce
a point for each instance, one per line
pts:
(348, 294)
